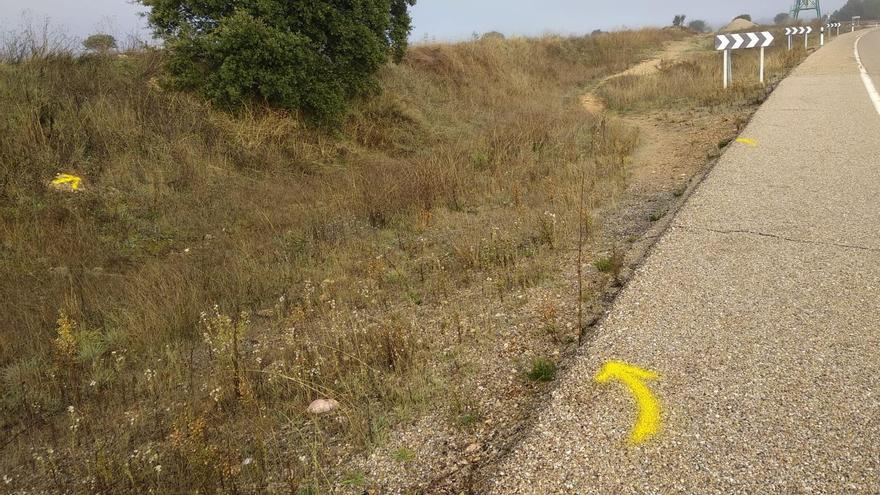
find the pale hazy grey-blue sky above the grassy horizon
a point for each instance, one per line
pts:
(440, 19)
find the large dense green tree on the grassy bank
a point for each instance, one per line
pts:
(307, 55)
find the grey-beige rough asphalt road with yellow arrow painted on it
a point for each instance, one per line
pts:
(760, 310)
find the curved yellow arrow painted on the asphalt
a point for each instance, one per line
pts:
(648, 422)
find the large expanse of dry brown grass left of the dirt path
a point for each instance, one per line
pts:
(165, 328)
